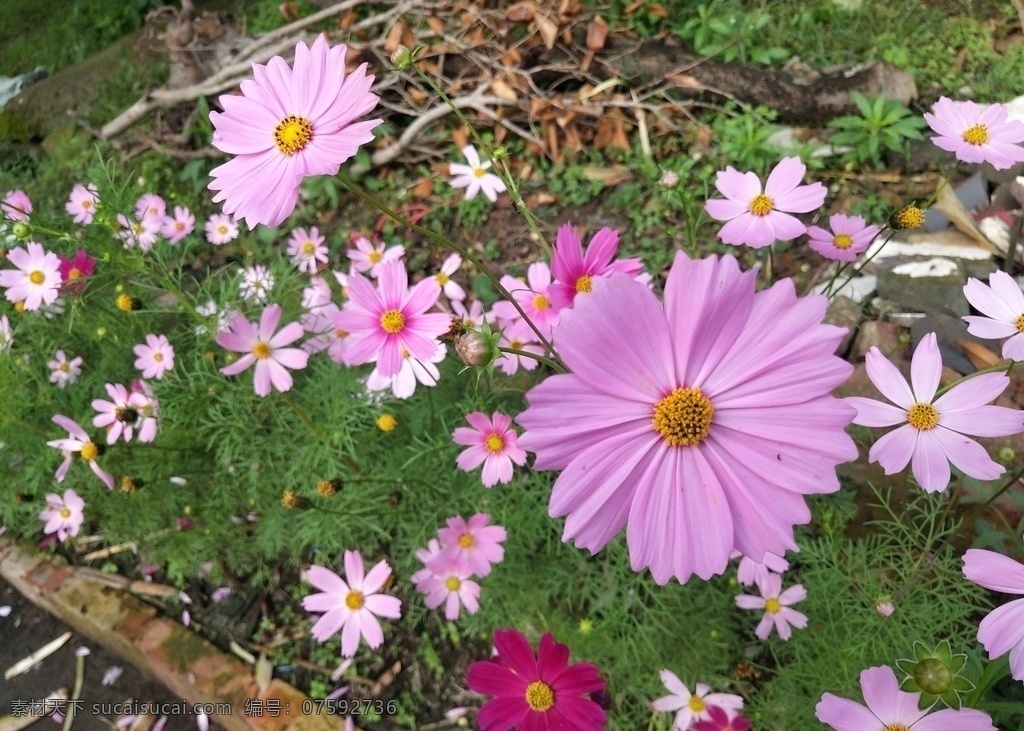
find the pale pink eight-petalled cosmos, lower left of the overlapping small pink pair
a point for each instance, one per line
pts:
(353, 607)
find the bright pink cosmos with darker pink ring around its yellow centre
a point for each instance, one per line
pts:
(388, 322)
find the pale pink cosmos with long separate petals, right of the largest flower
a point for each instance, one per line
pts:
(932, 431)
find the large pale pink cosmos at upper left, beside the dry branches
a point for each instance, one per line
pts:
(290, 122)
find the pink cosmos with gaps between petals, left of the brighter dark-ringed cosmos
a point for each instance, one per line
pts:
(265, 347)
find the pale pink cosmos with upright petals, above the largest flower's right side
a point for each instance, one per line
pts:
(757, 219)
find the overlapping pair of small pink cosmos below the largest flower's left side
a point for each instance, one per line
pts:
(463, 550)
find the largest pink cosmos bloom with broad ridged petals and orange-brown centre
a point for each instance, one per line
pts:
(700, 426)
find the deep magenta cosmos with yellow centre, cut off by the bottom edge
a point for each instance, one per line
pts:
(534, 694)
